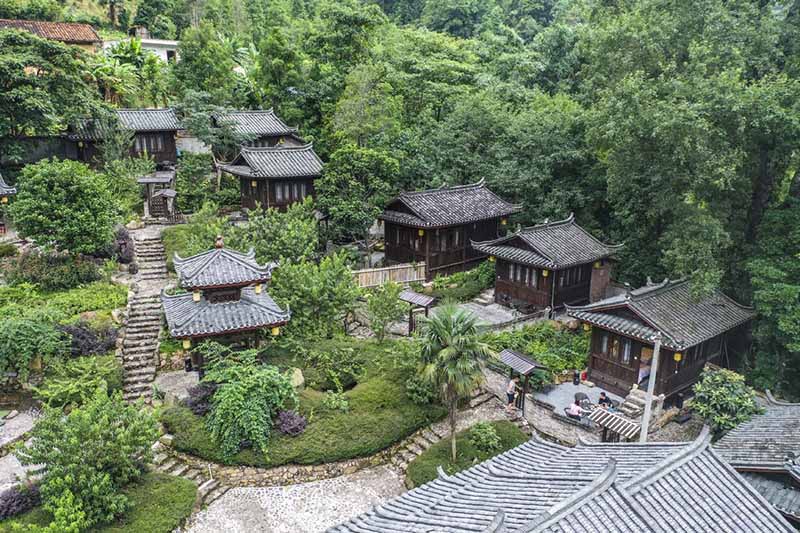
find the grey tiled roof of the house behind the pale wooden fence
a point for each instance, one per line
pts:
(448, 206)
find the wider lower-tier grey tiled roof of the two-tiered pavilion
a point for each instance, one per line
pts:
(187, 318)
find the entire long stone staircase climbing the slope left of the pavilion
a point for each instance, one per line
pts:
(143, 325)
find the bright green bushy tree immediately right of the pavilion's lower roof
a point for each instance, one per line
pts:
(319, 295)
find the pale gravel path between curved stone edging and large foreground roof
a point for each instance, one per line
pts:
(303, 508)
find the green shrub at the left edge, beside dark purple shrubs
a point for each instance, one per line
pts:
(22, 340)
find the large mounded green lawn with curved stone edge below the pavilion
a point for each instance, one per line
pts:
(380, 414)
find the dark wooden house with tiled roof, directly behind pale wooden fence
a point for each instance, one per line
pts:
(437, 225)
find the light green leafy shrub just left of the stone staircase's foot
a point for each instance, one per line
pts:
(73, 382)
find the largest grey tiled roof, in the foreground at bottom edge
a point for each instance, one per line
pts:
(592, 488)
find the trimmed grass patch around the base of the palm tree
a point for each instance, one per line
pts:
(423, 468)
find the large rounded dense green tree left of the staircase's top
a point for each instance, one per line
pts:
(64, 205)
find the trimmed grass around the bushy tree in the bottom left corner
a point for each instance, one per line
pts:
(159, 504)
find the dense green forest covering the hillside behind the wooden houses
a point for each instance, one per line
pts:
(671, 126)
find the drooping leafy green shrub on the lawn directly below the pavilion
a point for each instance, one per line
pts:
(248, 398)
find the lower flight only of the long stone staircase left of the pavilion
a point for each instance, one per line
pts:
(140, 347)
